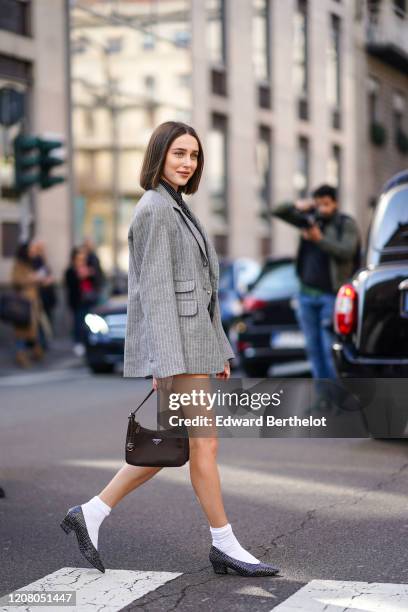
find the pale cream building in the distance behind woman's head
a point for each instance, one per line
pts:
(131, 70)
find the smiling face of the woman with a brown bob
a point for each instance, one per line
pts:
(181, 161)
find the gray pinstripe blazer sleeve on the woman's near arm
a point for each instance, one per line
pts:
(153, 255)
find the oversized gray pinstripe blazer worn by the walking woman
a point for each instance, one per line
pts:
(171, 284)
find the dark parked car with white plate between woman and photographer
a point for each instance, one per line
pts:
(268, 332)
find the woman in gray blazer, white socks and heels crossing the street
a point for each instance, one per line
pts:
(174, 334)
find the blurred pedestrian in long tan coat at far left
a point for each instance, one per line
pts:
(26, 282)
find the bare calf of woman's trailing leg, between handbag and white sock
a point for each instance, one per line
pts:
(128, 478)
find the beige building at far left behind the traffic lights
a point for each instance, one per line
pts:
(34, 62)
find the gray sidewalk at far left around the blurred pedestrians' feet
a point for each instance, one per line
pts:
(59, 356)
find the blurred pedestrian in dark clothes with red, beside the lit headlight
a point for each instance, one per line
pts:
(82, 295)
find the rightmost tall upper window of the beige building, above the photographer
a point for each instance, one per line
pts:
(334, 70)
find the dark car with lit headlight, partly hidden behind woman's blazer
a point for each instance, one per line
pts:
(105, 340)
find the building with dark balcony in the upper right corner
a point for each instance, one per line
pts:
(382, 52)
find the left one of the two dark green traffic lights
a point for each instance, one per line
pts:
(26, 162)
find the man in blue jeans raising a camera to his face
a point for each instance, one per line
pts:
(327, 256)
